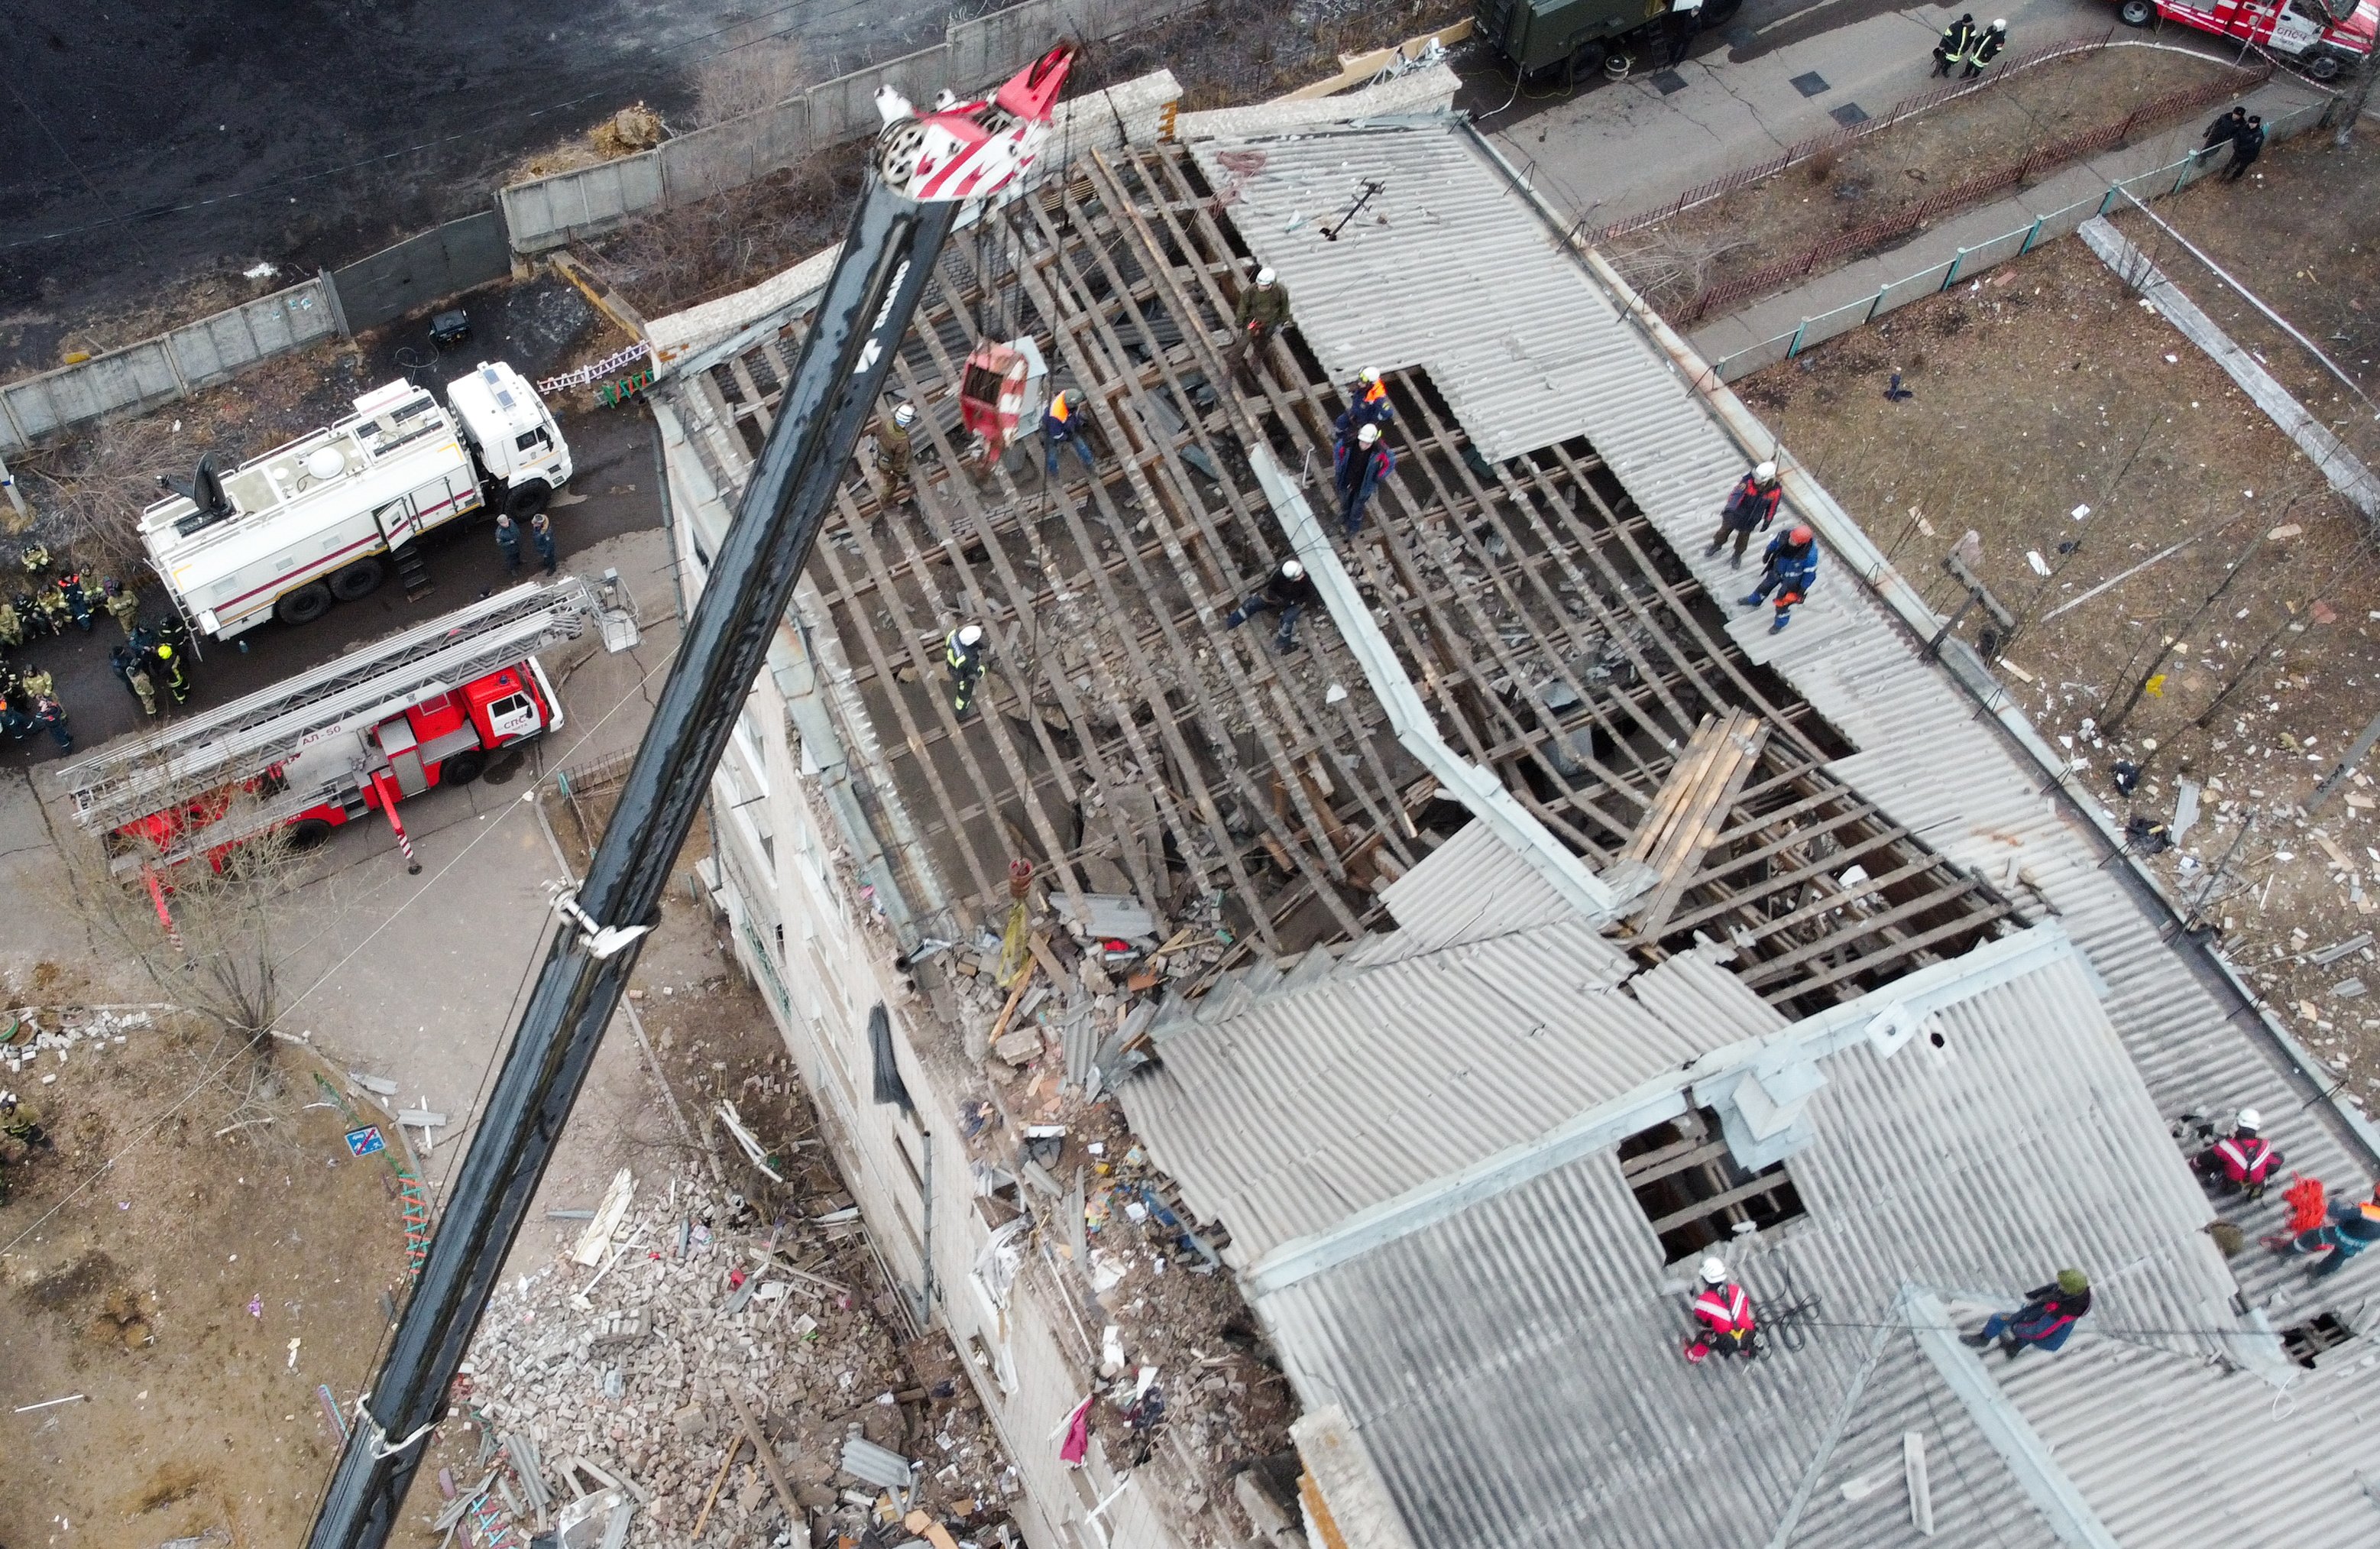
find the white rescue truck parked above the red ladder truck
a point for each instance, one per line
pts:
(287, 534)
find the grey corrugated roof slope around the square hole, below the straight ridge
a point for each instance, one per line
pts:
(1517, 1372)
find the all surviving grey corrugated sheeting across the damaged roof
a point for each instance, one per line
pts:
(1515, 1369)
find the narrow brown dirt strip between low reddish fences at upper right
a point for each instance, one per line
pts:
(1898, 168)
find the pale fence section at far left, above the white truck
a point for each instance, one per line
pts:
(161, 370)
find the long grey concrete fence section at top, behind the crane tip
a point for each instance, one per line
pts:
(570, 206)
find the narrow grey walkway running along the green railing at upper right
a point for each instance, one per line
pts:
(1981, 225)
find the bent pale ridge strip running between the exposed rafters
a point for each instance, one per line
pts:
(1477, 789)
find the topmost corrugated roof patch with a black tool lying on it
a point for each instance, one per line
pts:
(1441, 270)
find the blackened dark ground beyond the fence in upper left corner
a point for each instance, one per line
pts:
(154, 142)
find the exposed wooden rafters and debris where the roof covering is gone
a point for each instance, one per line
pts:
(1136, 746)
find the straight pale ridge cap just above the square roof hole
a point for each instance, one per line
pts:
(1931, 989)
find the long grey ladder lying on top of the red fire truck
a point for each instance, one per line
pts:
(253, 734)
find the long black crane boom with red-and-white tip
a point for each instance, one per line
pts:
(922, 170)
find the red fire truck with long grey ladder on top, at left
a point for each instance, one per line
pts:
(382, 725)
